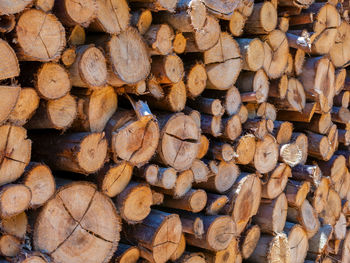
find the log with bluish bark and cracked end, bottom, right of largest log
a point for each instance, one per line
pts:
(157, 237)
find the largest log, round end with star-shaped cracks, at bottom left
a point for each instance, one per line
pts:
(73, 203)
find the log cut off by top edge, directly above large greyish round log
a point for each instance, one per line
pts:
(111, 16)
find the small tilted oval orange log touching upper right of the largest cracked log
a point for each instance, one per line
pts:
(113, 178)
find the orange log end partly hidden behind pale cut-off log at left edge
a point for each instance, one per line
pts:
(26, 105)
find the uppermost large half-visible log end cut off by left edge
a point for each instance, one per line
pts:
(9, 67)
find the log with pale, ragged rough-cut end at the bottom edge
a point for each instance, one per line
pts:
(270, 248)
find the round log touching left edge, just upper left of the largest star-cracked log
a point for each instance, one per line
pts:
(14, 199)
